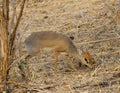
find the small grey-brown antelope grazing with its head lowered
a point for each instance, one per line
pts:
(58, 43)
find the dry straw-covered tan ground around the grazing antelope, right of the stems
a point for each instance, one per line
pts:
(95, 27)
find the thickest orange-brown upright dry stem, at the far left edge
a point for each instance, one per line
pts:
(4, 14)
